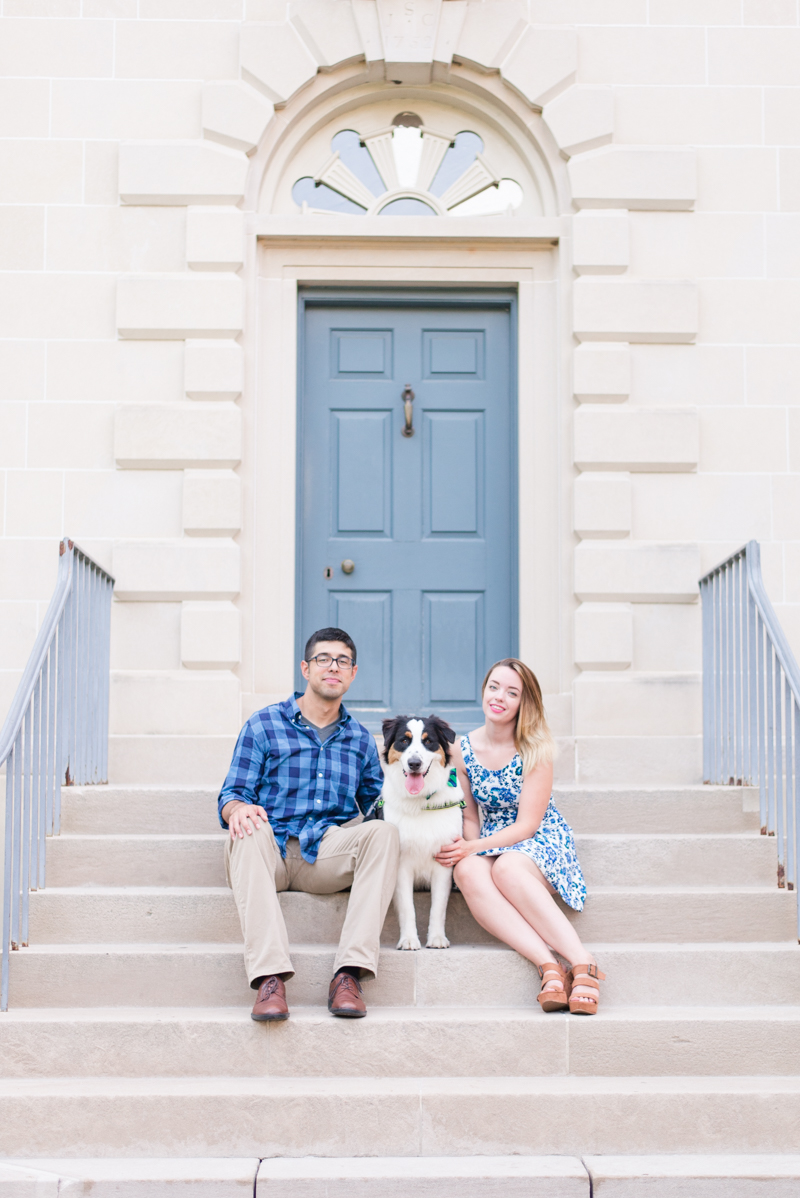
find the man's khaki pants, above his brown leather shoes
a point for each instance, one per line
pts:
(361, 856)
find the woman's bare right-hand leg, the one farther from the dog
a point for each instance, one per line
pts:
(523, 884)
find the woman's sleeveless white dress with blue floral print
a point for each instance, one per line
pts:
(553, 849)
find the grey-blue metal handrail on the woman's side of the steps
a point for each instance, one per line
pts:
(751, 701)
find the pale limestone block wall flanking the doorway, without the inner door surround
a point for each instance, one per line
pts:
(130, 134)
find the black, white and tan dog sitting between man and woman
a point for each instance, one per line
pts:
(423, 800)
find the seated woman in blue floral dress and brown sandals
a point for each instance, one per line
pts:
(512, 862)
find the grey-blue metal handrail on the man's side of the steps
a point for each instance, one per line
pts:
(56, 733)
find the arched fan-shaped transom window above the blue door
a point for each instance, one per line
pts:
(407, 170)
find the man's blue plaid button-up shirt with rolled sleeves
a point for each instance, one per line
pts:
(304, 785)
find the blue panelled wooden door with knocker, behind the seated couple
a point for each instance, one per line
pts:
(428, 521)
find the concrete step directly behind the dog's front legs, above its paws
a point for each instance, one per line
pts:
(141, 915)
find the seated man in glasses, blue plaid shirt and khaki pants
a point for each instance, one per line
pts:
(302, 776)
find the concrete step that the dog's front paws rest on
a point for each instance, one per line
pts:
(728, 975)
